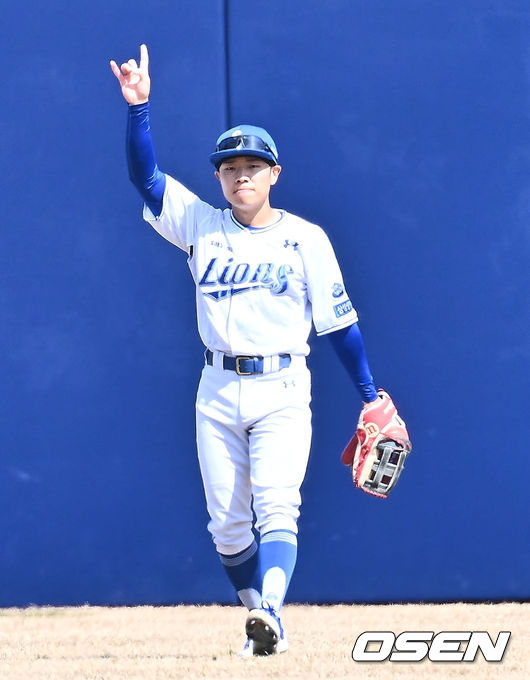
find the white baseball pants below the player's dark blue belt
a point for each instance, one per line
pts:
(253, 440)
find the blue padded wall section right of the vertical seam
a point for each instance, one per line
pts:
(403, 131)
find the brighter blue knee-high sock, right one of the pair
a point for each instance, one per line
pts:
(277, 556)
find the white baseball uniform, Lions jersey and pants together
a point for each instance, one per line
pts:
(258, 291)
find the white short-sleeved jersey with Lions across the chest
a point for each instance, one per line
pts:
(258, 290)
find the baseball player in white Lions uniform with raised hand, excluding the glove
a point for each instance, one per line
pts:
(263, 278)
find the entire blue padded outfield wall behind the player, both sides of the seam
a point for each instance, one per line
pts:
(403, 131)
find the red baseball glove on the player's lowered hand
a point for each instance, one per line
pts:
(378, 449)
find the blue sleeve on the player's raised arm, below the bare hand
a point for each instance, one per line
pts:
(141, 160)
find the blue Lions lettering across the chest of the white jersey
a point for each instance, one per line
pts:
(262, 275)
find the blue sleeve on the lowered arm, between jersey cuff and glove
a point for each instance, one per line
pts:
(349, 345)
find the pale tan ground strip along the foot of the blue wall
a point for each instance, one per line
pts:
(166, 643)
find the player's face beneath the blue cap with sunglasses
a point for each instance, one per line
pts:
(246, 180)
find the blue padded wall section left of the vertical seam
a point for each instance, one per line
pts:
(101, 494)
